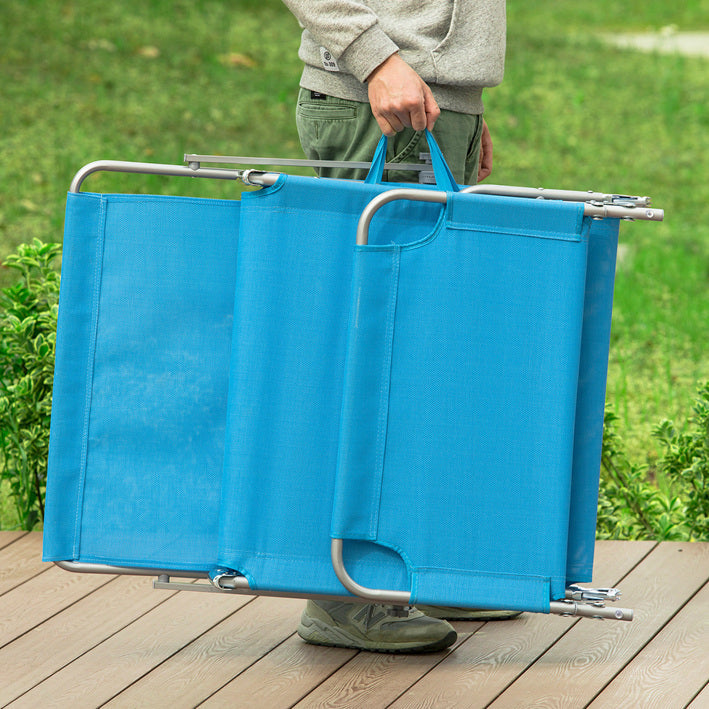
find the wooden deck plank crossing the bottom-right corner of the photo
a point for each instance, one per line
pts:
(681, 648)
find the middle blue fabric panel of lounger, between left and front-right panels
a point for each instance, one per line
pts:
(290, 332)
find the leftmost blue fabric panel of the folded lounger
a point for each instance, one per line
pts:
(137, 449)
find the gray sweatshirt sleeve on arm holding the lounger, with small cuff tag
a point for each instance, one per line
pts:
(349, 30)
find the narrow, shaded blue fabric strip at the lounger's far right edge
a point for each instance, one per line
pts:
(588, 434)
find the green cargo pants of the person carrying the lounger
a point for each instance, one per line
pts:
(338, 129)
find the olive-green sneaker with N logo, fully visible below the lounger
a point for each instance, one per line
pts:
(373, 627)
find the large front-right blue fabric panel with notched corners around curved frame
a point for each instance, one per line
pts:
(481, 401)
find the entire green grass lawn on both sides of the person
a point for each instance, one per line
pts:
(150, 81)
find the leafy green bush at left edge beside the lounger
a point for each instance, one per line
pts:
(28, 323)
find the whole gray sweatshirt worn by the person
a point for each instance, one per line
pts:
(456, 46)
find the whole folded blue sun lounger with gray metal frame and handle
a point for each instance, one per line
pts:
(333, 388)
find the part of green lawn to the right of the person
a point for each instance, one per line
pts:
(576, 113)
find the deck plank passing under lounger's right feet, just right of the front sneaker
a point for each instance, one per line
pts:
(491, 659)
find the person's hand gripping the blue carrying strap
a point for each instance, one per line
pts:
(400, 98)
